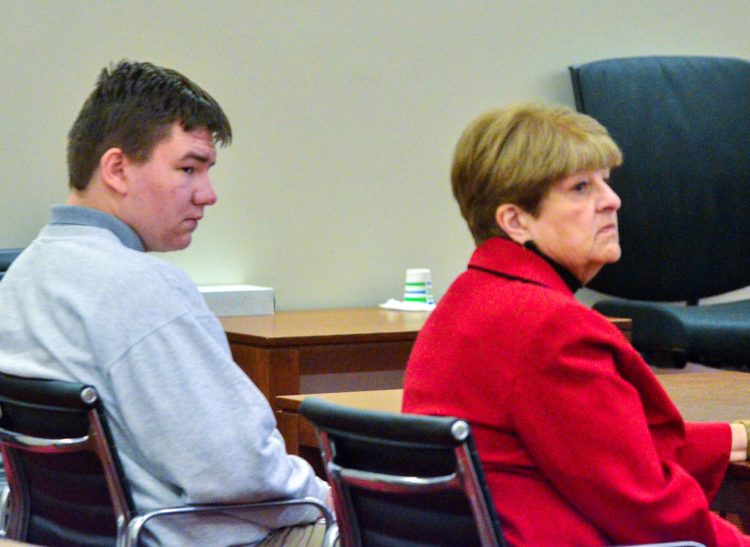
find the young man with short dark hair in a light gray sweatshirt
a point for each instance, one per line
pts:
(85, 302)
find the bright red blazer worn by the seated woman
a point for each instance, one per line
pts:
(579, 442)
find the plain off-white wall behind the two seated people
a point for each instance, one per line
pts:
(345, 115)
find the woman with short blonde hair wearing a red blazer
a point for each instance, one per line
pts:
(579, 442)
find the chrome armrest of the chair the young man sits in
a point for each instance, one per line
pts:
(129, 537)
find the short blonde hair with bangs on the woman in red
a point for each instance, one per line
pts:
(515, 154)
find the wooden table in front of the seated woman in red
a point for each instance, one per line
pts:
(701, 397)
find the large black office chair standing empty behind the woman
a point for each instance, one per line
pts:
(683, 124)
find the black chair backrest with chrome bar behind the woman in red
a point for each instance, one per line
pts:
(401, 479)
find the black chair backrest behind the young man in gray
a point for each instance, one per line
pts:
(66, 482)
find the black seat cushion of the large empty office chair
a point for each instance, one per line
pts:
(712, 334)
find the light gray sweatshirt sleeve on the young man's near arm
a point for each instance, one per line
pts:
(192, 418)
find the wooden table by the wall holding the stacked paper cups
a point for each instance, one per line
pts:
(328, 351)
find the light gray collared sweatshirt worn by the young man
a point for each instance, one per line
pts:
(85, 303)
